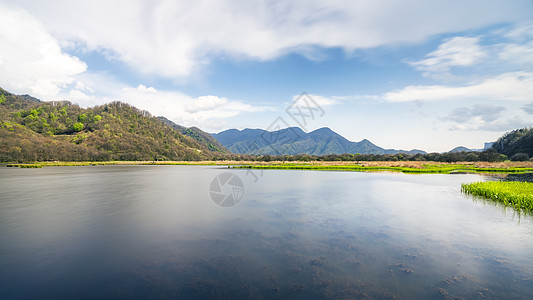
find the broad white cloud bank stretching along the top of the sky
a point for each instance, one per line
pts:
(173, 38)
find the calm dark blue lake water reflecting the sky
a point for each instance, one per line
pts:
(153, 232)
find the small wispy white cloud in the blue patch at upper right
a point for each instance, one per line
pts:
(455, 52)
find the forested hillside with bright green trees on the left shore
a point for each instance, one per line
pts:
(31, 130)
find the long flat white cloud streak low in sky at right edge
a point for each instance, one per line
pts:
(509, 86)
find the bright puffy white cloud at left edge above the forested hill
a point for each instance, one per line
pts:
(31, 59)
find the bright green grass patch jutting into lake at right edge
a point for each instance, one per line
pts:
(518, 195)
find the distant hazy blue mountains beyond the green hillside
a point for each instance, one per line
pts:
(293, 140)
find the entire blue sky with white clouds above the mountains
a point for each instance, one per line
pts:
(405, 74)
